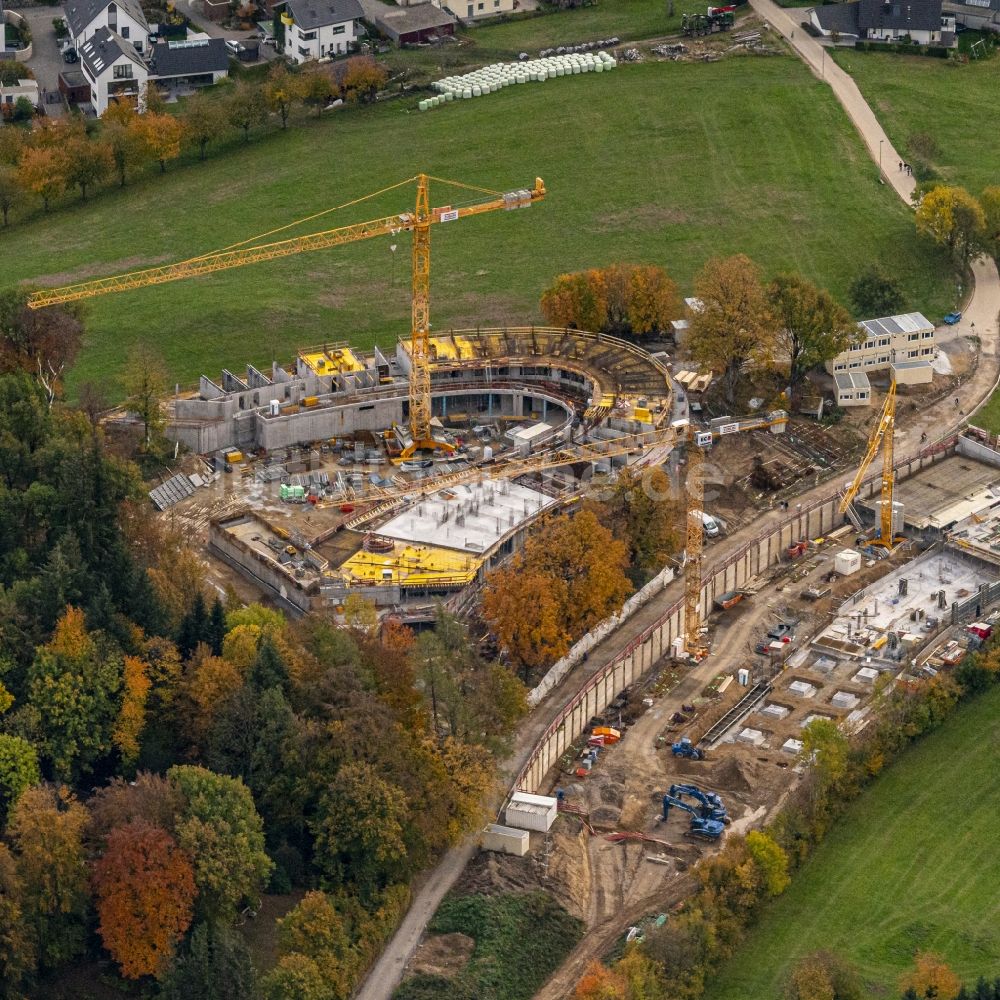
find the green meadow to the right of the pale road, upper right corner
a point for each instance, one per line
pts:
(949, 101)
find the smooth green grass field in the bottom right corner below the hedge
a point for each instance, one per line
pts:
(911, 865)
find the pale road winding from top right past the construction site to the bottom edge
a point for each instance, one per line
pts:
(938, 421)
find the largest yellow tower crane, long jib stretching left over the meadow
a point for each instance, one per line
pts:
(418, 221)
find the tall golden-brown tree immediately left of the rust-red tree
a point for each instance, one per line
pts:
(46, 832)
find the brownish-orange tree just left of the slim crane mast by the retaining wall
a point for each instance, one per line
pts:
(641, 510)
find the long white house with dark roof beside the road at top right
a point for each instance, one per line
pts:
(922, 22)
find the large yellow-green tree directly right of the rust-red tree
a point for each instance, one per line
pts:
(220, 829)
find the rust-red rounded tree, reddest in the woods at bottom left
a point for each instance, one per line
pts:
(144, 886)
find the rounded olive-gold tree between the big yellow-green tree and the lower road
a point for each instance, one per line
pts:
(359, 829)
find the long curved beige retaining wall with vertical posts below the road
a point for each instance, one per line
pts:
(647, 649)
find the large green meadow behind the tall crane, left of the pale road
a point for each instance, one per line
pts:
(660, 162)
